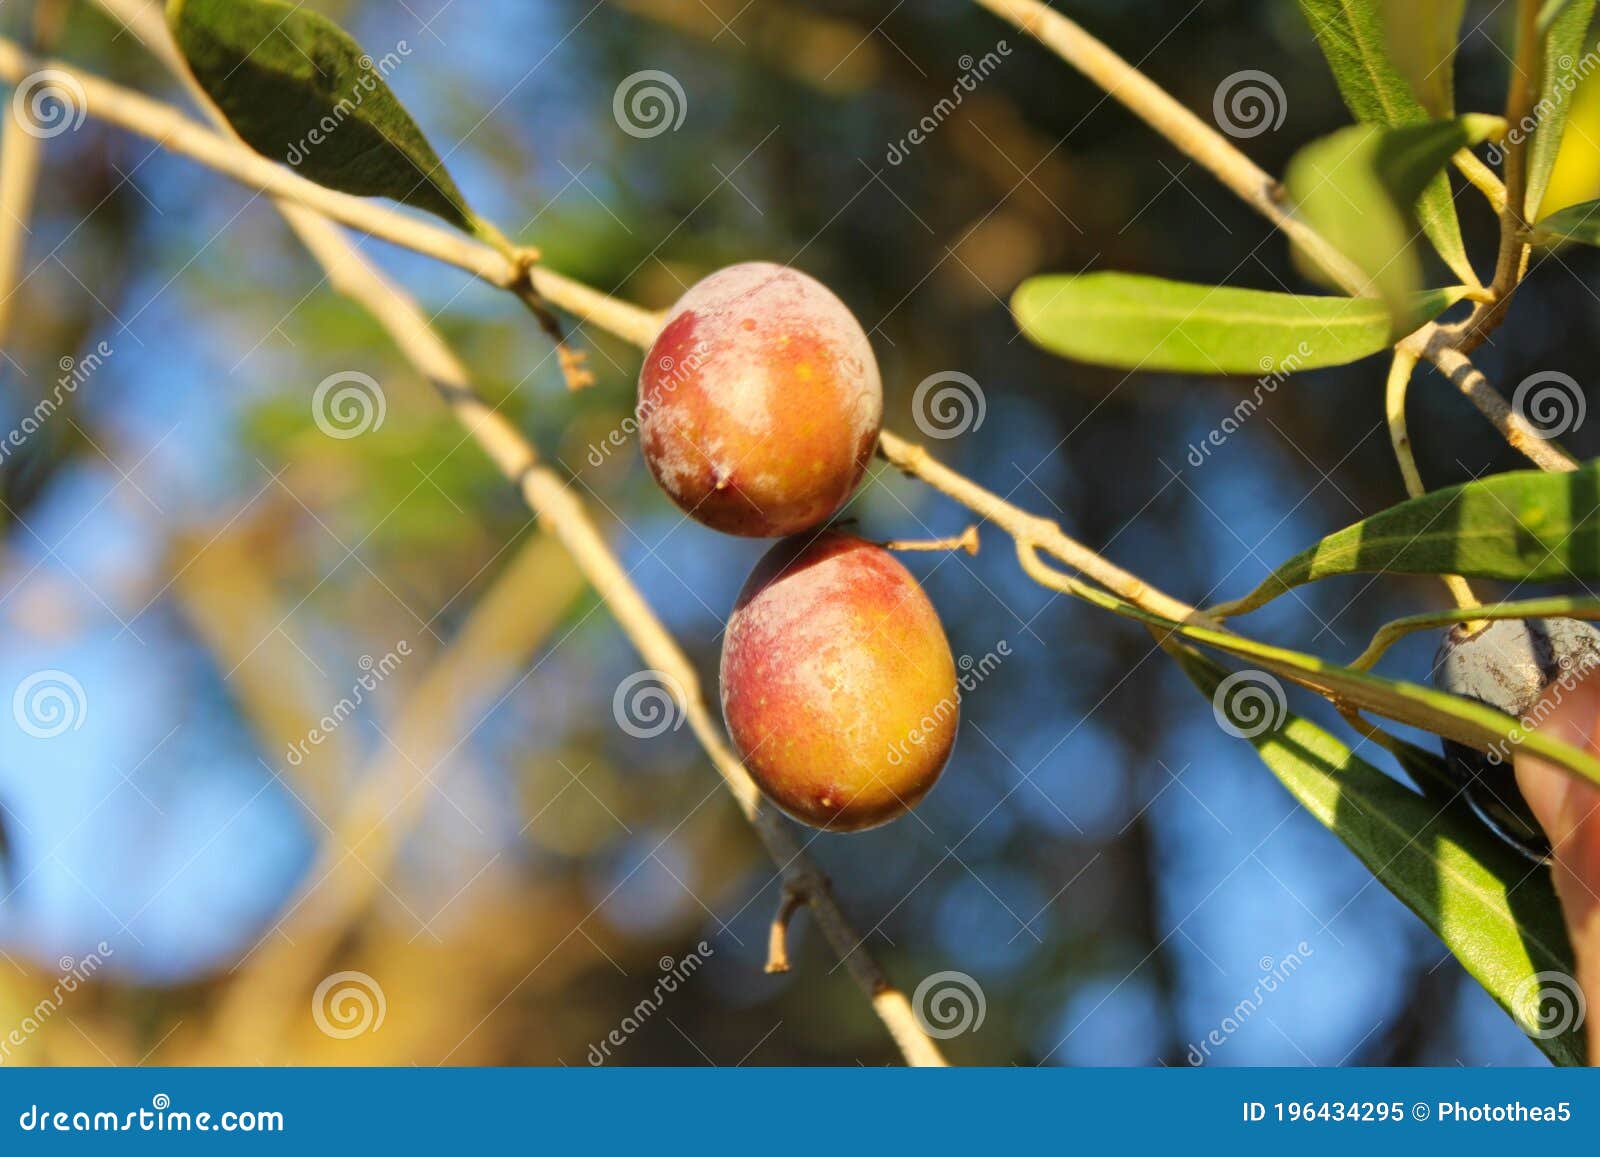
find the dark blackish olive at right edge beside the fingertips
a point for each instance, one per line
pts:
(1510, 665)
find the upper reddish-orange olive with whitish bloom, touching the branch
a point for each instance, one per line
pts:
(761, 402)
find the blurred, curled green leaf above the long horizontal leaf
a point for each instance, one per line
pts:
(1361, 190)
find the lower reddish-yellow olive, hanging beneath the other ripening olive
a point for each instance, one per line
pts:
(838, 683)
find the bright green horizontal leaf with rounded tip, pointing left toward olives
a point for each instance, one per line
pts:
(1150, 324)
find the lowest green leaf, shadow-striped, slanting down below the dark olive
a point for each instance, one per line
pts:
(1479, 897)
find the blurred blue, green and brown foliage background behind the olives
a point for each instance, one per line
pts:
(506, 865)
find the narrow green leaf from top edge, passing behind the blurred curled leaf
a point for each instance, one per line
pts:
(1351, 34)
